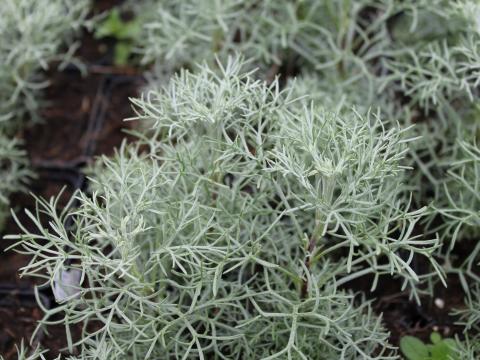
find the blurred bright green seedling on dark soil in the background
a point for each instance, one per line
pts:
(123, 31)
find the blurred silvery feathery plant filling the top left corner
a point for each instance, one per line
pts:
(33, 35)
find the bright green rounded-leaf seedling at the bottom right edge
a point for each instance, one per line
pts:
(440, 349)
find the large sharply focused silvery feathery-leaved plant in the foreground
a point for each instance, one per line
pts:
(230, 229)
